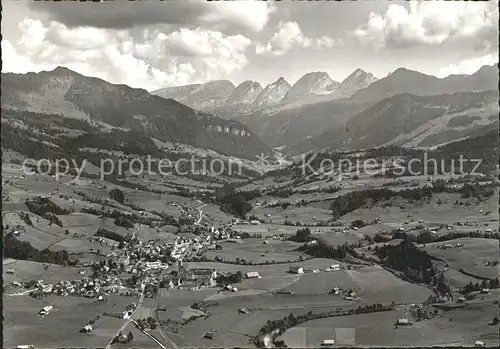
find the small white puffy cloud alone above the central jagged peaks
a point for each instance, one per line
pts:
(289, 35)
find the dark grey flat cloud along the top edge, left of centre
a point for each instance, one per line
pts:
(249, 15)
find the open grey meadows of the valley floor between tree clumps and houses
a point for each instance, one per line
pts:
(235, 318)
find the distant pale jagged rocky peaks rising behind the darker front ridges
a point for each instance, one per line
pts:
(291, 116)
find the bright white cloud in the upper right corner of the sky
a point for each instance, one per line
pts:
(431, 23)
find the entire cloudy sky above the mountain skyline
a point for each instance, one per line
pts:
(151, 45)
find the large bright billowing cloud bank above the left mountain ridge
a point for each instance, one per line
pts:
(149, 58)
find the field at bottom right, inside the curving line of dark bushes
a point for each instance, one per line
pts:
(452, 328)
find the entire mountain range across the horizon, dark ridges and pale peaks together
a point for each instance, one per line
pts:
(406, 108)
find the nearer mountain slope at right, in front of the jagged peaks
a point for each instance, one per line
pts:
(411, 121)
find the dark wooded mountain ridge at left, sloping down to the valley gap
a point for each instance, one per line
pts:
(73, 95)
